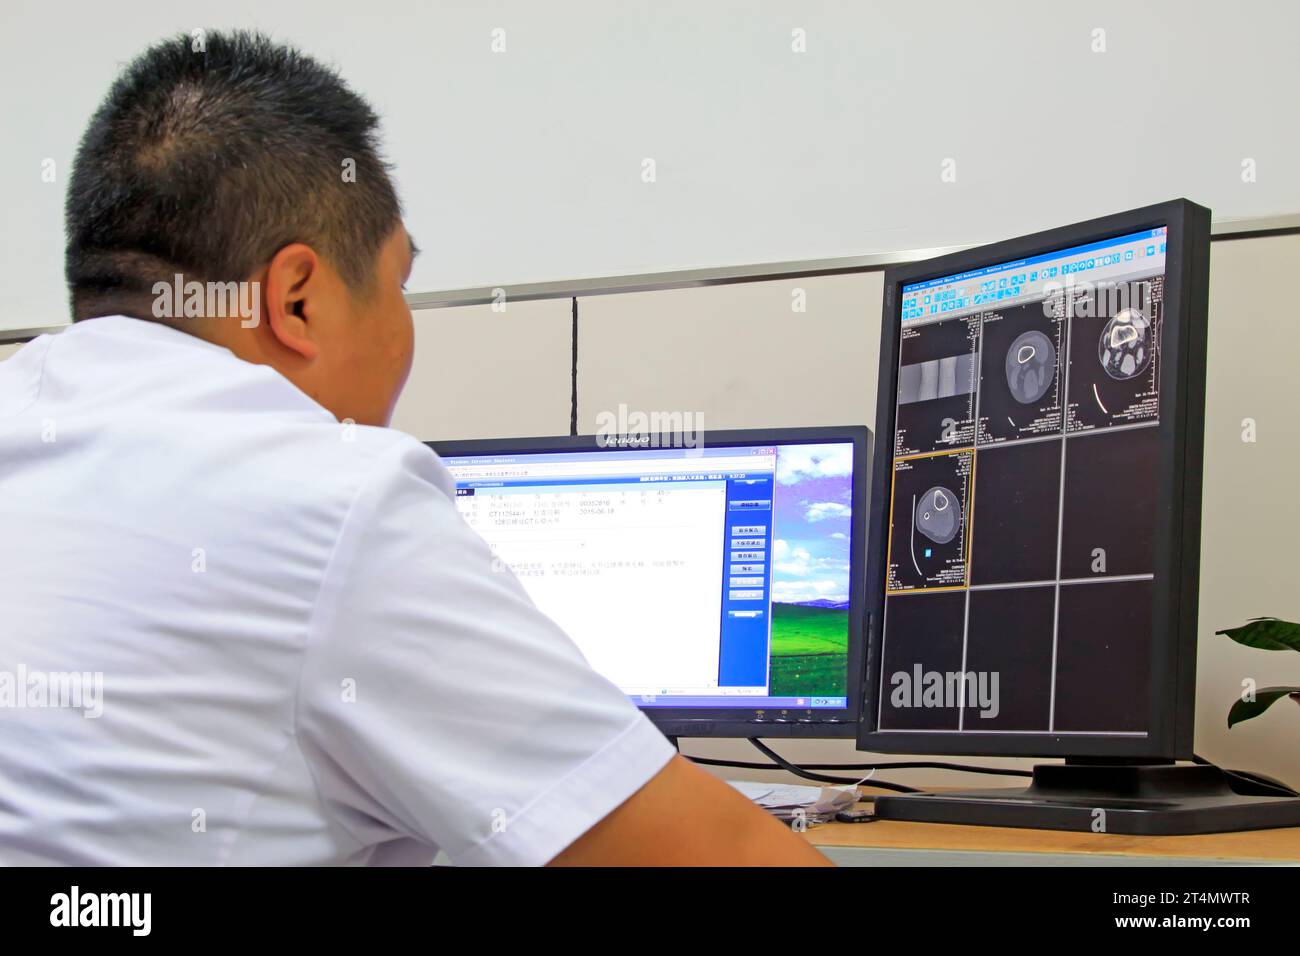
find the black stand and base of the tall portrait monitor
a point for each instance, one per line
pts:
(1119, 798)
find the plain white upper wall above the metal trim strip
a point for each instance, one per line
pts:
(527, 166)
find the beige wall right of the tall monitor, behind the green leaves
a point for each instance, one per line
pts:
(1251, 516)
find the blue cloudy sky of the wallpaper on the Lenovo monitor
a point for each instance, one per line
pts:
(811, 547)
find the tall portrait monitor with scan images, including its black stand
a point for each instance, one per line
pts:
(1035, 535)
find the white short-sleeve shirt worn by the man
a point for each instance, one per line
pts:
(302, 654)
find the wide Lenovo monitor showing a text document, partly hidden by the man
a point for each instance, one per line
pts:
(716, 578)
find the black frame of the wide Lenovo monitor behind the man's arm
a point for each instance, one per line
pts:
(739, 723)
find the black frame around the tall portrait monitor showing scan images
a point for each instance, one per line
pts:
(1178, 525)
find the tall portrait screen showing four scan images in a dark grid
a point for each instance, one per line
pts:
(1024, 496)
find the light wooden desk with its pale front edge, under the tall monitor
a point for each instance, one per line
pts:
(898, 843)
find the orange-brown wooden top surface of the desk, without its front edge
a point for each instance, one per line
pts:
(1273, 846)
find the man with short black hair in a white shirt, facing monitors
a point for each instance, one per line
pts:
(275, 639)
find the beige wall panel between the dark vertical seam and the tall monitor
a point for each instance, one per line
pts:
(739, 356)
